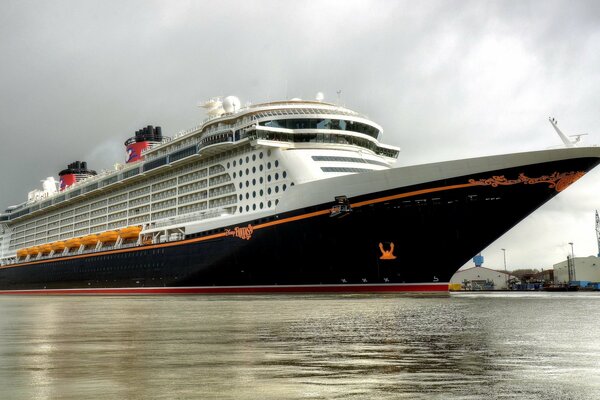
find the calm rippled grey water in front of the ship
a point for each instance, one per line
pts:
(464, 346)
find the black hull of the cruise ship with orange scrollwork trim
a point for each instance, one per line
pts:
(411, 238)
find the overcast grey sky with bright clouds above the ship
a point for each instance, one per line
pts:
(445, 79)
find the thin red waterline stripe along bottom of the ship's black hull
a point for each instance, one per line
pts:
(417, 287)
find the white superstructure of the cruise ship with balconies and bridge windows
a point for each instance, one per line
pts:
(239, 161)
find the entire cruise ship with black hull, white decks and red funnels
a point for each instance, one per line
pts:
(277, 197)
